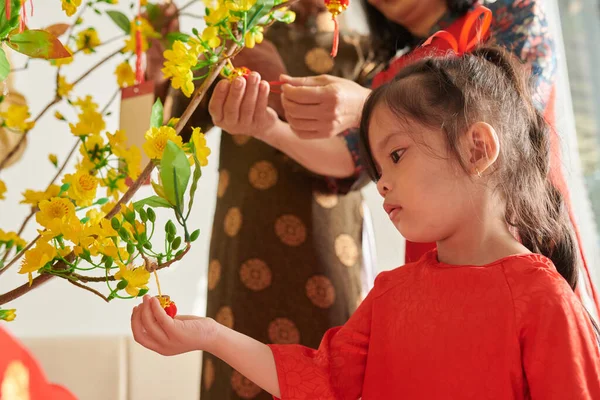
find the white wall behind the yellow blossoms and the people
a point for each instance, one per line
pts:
(58, 308)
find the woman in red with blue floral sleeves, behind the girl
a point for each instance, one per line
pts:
(321, 107)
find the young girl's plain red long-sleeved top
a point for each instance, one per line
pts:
(512, 329)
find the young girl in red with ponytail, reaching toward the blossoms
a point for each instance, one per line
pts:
(460, 156)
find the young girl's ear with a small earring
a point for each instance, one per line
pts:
(481, 146)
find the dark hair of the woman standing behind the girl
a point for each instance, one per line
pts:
(388, 37)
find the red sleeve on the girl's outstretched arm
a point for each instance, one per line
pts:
(336, 370)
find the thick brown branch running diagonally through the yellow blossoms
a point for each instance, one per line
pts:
(196, 99)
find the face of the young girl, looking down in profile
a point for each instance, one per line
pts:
(427, 194)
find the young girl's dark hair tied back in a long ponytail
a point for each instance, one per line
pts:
(451, 93)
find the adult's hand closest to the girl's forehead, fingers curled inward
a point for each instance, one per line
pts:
(322, 106)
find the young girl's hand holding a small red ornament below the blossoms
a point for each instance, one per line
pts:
(155, 330)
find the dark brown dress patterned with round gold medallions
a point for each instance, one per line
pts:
(286, 256)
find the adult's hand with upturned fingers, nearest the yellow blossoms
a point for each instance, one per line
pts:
(241, 107)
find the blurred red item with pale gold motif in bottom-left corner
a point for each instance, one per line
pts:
(21, 376)
